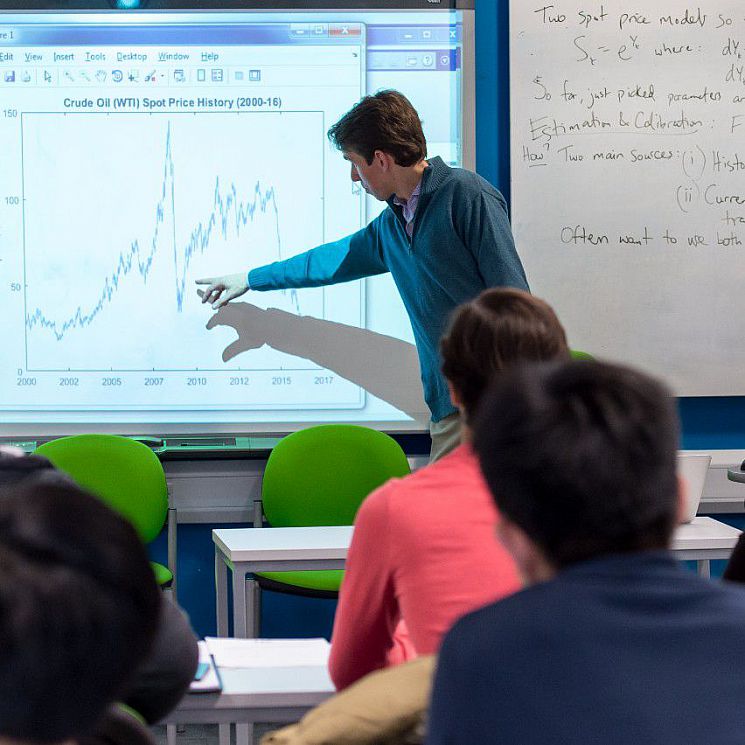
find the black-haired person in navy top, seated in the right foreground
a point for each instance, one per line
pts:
(613, 641)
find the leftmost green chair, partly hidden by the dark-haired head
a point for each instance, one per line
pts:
(128, 476)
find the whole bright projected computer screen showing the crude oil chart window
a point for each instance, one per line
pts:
(138, 156)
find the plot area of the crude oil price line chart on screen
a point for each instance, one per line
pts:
(123, 211)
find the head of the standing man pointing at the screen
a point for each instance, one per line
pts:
(377, 135)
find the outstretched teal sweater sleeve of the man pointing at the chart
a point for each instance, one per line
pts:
(356, 256)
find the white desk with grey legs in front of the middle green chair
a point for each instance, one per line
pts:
(249, 550)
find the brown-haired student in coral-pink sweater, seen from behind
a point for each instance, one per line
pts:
(423, 548)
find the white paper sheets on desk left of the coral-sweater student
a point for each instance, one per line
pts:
(268, 652)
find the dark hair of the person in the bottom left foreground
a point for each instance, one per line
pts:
(78, 607)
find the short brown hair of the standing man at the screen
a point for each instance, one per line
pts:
(384, 121)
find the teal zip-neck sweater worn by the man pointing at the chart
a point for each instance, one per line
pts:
(461, 244)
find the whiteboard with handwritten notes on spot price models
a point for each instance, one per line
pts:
(628, 180)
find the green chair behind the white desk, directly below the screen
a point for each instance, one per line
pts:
(320, 476)
